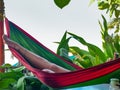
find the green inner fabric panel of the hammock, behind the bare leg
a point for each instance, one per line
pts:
(34, 46)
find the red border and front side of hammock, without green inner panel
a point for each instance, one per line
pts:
(81, 77)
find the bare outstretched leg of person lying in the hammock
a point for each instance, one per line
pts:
(39, 62)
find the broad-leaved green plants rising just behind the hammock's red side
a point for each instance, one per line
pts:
(94, 55)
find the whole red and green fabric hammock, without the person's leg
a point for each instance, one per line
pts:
(78, 77)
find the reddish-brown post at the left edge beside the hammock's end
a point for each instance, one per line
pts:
(1, 33)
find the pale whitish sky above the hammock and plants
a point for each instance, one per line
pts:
(47, 23)
